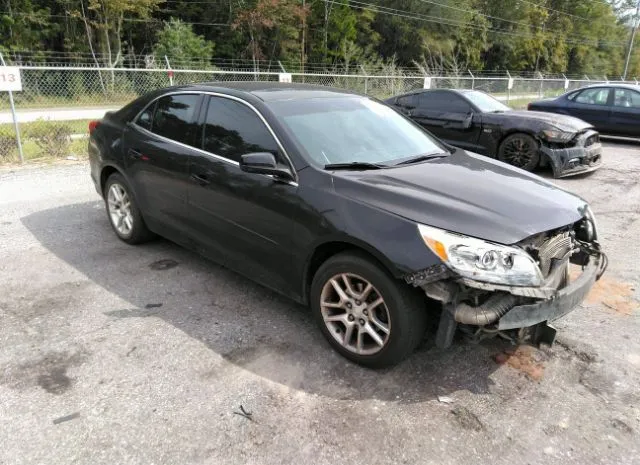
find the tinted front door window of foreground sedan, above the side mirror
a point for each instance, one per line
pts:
(233, 129)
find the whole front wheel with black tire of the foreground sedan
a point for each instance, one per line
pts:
(367, 316)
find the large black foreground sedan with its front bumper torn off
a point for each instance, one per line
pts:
(339, 202)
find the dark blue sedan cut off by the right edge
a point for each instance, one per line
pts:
(613, 109)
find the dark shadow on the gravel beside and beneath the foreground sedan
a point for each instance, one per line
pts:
(251, 327)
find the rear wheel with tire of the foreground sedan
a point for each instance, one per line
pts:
(123, 212)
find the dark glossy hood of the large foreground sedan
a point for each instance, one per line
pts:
(465, 193)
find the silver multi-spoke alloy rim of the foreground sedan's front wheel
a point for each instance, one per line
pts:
(355, 314)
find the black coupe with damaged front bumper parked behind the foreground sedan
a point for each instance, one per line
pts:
(475, 121)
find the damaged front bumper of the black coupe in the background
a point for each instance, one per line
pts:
(584, 156)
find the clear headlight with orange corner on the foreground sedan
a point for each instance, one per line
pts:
(480, 260)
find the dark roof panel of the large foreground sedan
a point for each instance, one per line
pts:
(270, 91)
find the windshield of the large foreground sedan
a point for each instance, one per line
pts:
(353, 130)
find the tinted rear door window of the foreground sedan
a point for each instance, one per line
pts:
(174, 117)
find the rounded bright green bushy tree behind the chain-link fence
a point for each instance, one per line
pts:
(178, 42)
